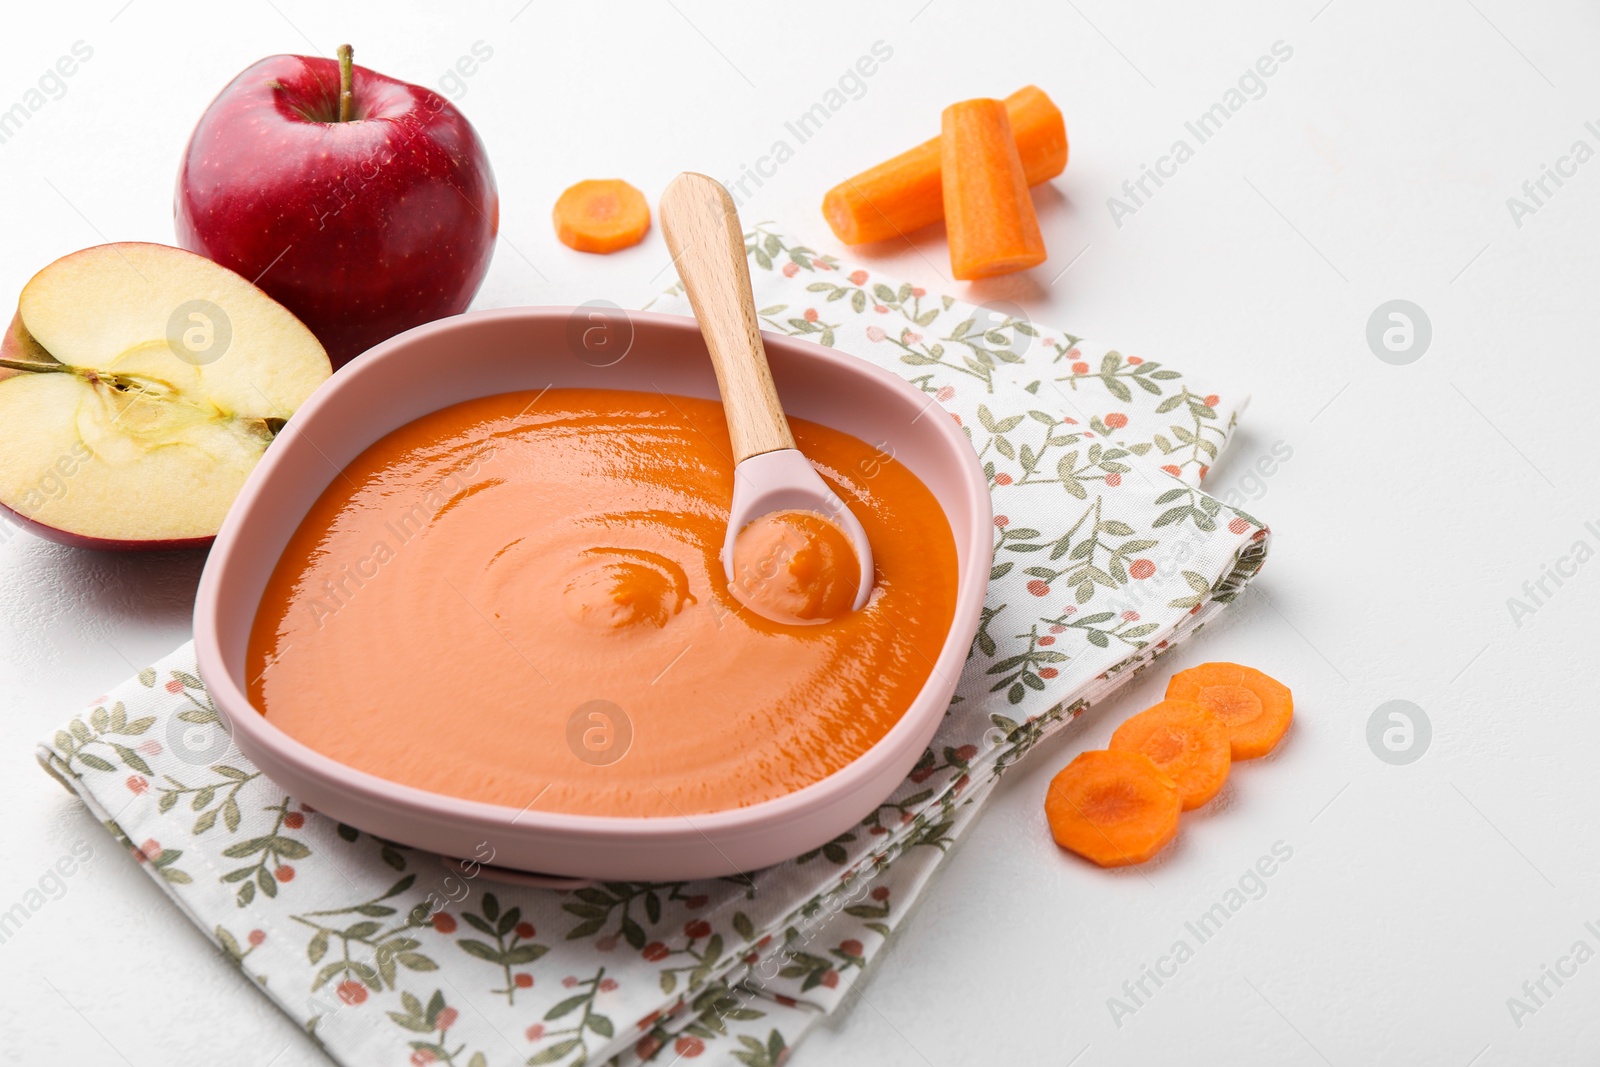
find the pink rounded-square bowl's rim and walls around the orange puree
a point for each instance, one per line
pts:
(532, 348)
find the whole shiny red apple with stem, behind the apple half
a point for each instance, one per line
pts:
(364, 228)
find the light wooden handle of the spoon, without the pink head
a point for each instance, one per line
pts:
(708, 246)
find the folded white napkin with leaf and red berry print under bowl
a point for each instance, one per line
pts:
(1106, 556)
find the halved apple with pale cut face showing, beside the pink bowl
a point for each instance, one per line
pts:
(138, 388)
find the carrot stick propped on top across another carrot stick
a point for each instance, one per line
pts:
(988, 212)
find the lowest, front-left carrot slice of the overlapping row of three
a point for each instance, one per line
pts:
(1113, 809)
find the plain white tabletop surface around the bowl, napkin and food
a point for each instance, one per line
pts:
(1417, 502)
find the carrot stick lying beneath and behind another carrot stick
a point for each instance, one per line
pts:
(906, 193)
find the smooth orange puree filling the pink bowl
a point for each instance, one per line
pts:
(519, 601)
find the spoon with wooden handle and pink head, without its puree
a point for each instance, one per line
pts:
(770, 474)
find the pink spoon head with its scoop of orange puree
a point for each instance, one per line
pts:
(794, 551)
